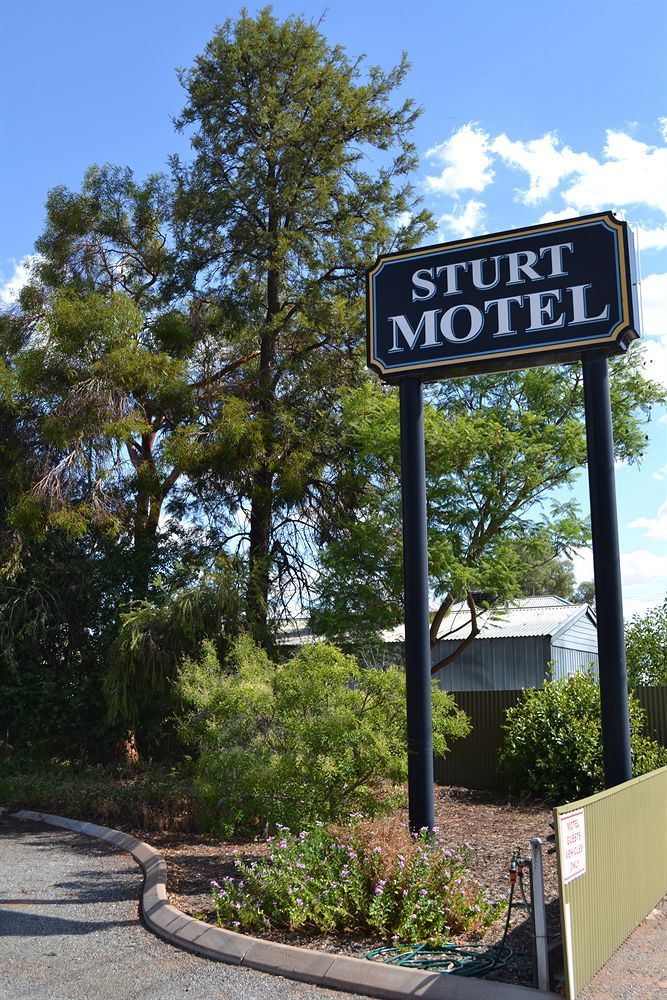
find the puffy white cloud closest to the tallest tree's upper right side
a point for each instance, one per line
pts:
(466, 161)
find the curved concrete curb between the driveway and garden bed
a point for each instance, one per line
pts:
(355, 975)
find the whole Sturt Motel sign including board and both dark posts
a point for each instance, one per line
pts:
(550, 294)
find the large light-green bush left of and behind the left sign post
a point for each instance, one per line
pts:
(314, 738)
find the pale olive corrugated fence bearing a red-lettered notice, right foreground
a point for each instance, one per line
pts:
(625, 875)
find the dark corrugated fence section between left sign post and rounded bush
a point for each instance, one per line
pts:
(473, 762)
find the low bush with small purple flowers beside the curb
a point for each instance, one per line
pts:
(408, 889)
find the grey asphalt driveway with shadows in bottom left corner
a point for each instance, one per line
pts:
(70, 930)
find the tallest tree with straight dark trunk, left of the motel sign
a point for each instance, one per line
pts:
(298, 178)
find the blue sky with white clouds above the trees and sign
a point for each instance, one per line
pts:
(530, 112)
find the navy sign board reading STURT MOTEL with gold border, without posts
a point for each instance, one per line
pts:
(541, 295)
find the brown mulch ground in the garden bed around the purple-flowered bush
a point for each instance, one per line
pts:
(492, 824)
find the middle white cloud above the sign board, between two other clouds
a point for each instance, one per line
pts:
(545, 164)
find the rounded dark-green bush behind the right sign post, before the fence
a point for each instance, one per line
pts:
(552, 748)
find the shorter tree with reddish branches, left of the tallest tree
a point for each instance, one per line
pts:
(96, 383)
